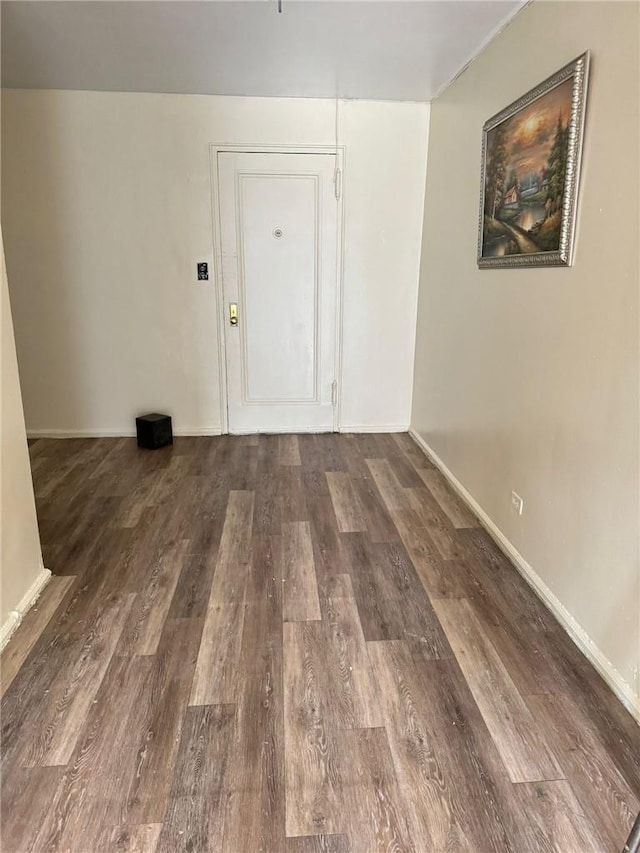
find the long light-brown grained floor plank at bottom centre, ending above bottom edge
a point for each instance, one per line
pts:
(312, 773)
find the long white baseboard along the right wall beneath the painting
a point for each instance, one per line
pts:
(583, 641)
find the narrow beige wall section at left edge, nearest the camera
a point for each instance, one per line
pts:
(21, 572)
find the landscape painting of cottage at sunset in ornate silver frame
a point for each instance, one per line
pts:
(530, 171)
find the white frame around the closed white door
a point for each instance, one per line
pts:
(214, 150)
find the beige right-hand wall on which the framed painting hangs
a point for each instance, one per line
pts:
(528, 379)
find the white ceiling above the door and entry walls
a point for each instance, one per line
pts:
(377, 50)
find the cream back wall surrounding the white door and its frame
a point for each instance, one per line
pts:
(106, 209)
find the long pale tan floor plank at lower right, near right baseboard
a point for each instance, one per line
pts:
(520, 742)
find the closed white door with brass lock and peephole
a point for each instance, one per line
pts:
(278, 219)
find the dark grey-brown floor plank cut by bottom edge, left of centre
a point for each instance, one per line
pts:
(195, 817)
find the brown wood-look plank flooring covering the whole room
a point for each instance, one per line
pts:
(296, 644)
